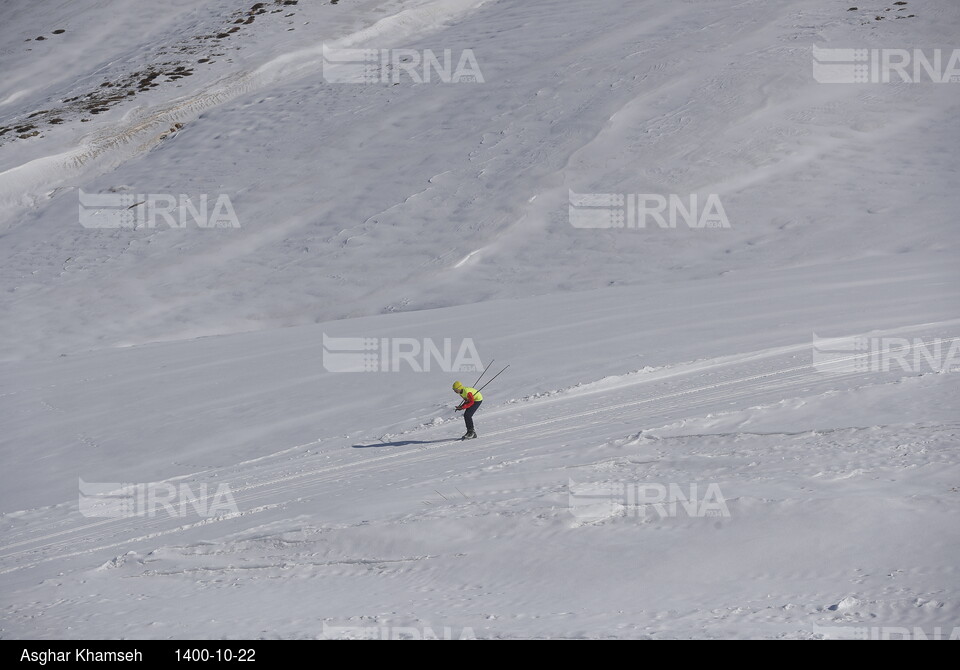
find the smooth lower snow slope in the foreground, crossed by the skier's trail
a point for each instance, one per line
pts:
(356, 515)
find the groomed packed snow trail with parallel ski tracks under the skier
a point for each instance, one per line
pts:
(296, 475)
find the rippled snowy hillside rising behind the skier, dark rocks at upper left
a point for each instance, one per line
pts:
(361, 199)
